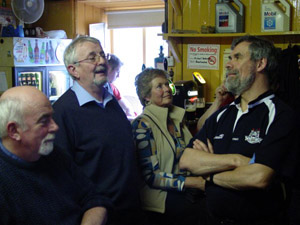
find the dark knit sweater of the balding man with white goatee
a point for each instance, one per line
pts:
(49, 191)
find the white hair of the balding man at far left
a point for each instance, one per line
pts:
(12, 109)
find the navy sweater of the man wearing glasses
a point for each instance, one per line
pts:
(100, 142)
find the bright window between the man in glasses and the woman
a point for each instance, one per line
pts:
(135, 47)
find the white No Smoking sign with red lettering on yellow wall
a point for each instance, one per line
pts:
(203, 56)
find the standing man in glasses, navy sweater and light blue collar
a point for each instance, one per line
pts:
(95, 132)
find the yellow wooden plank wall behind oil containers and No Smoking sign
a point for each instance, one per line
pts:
(195, 13)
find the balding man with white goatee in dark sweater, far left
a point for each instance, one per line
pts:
(39, 185)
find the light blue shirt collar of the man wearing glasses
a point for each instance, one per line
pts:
(84, 97)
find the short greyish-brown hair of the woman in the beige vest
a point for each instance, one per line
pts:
(143, 82)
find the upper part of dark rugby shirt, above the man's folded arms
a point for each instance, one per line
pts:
(263, 132)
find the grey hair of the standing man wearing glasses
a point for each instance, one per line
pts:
(70, 52)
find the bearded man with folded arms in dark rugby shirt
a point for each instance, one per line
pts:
(245, 151)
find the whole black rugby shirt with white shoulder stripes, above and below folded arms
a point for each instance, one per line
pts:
(264, 133)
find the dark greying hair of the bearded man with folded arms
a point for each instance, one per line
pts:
(261, 48)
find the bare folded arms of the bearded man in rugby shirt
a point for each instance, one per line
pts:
(229, 170)
